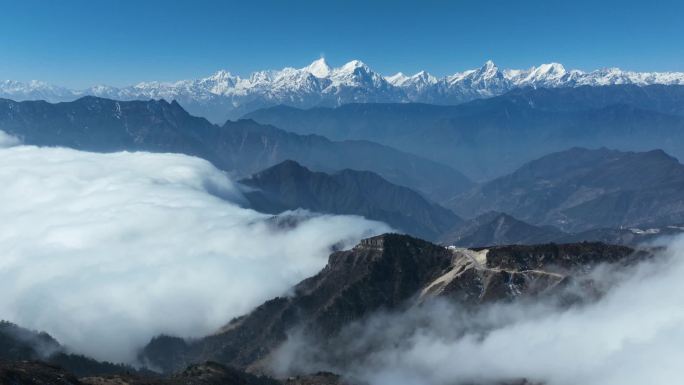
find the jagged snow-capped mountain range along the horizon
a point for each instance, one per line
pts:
(224, 96)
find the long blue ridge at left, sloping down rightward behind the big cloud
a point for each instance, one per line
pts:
(243, 147)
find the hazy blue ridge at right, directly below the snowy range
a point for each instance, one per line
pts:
(490, 137)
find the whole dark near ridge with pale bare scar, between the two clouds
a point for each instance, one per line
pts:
(388, 272)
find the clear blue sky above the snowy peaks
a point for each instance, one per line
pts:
(85, 42)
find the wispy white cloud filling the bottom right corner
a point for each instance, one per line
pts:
(631, 336)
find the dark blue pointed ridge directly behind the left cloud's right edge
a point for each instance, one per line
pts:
(289, 186)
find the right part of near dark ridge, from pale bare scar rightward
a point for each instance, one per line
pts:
(512, 272)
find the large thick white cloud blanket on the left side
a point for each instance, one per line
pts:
(104, 251)
